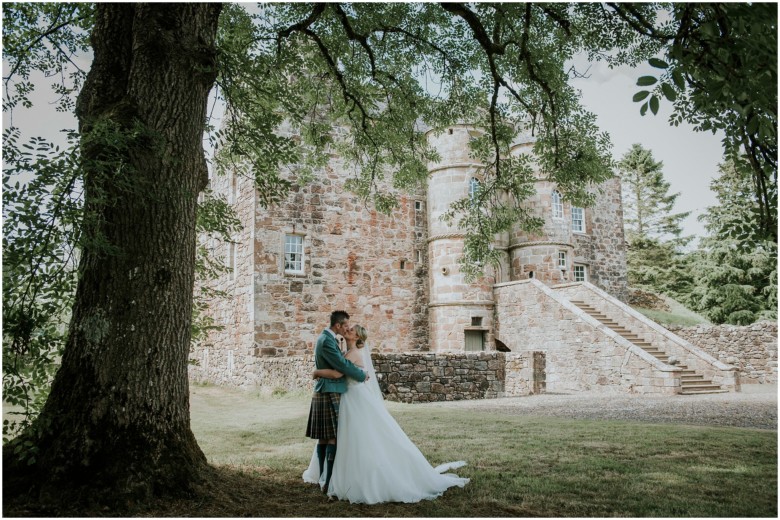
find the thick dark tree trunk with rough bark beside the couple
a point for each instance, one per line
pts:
(117, 420)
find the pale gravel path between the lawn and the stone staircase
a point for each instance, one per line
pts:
(745, 410)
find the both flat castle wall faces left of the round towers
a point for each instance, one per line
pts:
(370, 264)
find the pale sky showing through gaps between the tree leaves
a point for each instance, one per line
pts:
(690, 158)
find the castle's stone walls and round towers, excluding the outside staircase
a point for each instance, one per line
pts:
(396, 274)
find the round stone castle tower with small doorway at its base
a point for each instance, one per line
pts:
(460, 313)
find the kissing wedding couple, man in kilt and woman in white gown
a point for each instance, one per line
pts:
(375, 460)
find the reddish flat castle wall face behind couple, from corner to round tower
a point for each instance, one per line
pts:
(369, 264)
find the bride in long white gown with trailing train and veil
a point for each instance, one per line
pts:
(375, 460)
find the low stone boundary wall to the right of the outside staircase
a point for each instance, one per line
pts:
(751, 348)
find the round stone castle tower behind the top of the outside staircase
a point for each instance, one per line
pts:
(547, 254)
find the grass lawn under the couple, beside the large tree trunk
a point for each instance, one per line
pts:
(518, 465)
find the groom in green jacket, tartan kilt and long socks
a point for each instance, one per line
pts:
(324, 412)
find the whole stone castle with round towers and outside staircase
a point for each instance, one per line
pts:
(556, 293)
